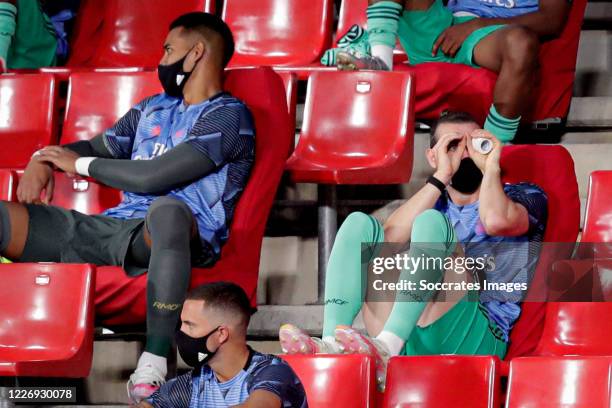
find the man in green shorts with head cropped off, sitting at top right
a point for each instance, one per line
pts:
(500, 35)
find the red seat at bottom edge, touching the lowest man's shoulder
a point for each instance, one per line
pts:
(345, 381)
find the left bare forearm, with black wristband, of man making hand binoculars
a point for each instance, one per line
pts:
(398, 226)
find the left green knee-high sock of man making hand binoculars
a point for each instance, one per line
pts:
(345, 277)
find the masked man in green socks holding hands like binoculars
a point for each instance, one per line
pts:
(463, 211)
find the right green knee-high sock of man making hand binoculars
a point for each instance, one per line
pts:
(432, 236)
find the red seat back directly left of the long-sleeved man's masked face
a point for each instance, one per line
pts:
(96, 100)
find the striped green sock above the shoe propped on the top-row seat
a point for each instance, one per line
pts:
(383, 23)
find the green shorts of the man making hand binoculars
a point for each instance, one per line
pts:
(464, 330)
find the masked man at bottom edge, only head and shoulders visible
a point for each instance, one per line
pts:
(226, 371)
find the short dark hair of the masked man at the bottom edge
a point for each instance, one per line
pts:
(224, 296)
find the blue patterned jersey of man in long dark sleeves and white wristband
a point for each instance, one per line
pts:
(220, 127)
